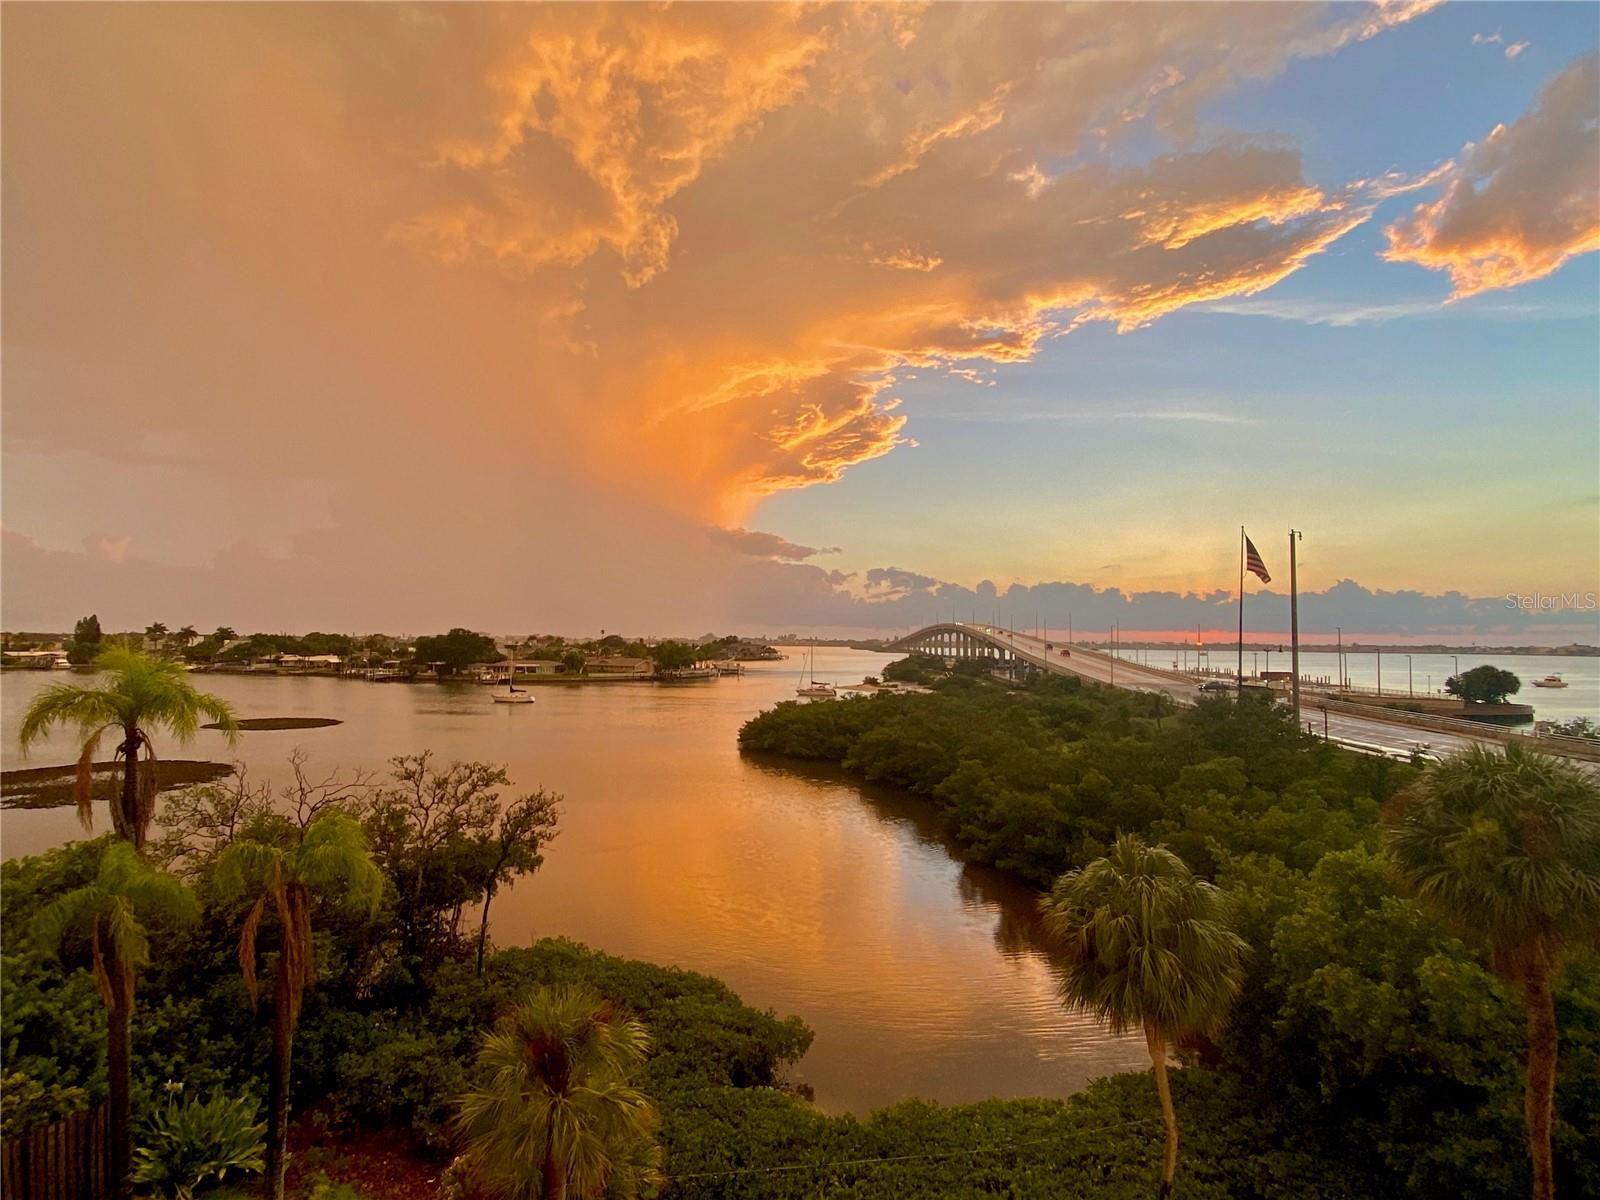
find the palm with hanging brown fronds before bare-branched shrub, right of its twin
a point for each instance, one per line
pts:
(330, 862)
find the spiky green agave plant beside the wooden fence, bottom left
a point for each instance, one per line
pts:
(193, 1142)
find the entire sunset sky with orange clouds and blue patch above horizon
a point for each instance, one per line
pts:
(769, 318)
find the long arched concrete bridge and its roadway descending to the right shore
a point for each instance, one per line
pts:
(1372, 734)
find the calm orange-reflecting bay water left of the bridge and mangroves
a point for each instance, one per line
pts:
(802, 890)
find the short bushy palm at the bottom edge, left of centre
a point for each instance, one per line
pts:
(556, 1114)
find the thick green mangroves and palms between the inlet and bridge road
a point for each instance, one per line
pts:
(1394, 959)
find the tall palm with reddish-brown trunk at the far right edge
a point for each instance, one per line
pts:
(1506, 849)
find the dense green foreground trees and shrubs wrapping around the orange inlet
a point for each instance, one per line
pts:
(1308, 932)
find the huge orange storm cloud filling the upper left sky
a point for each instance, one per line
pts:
(588, 260)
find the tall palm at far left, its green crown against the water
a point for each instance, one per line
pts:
(143, 694)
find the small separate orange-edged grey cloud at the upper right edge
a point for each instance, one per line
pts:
(1522, 202)
